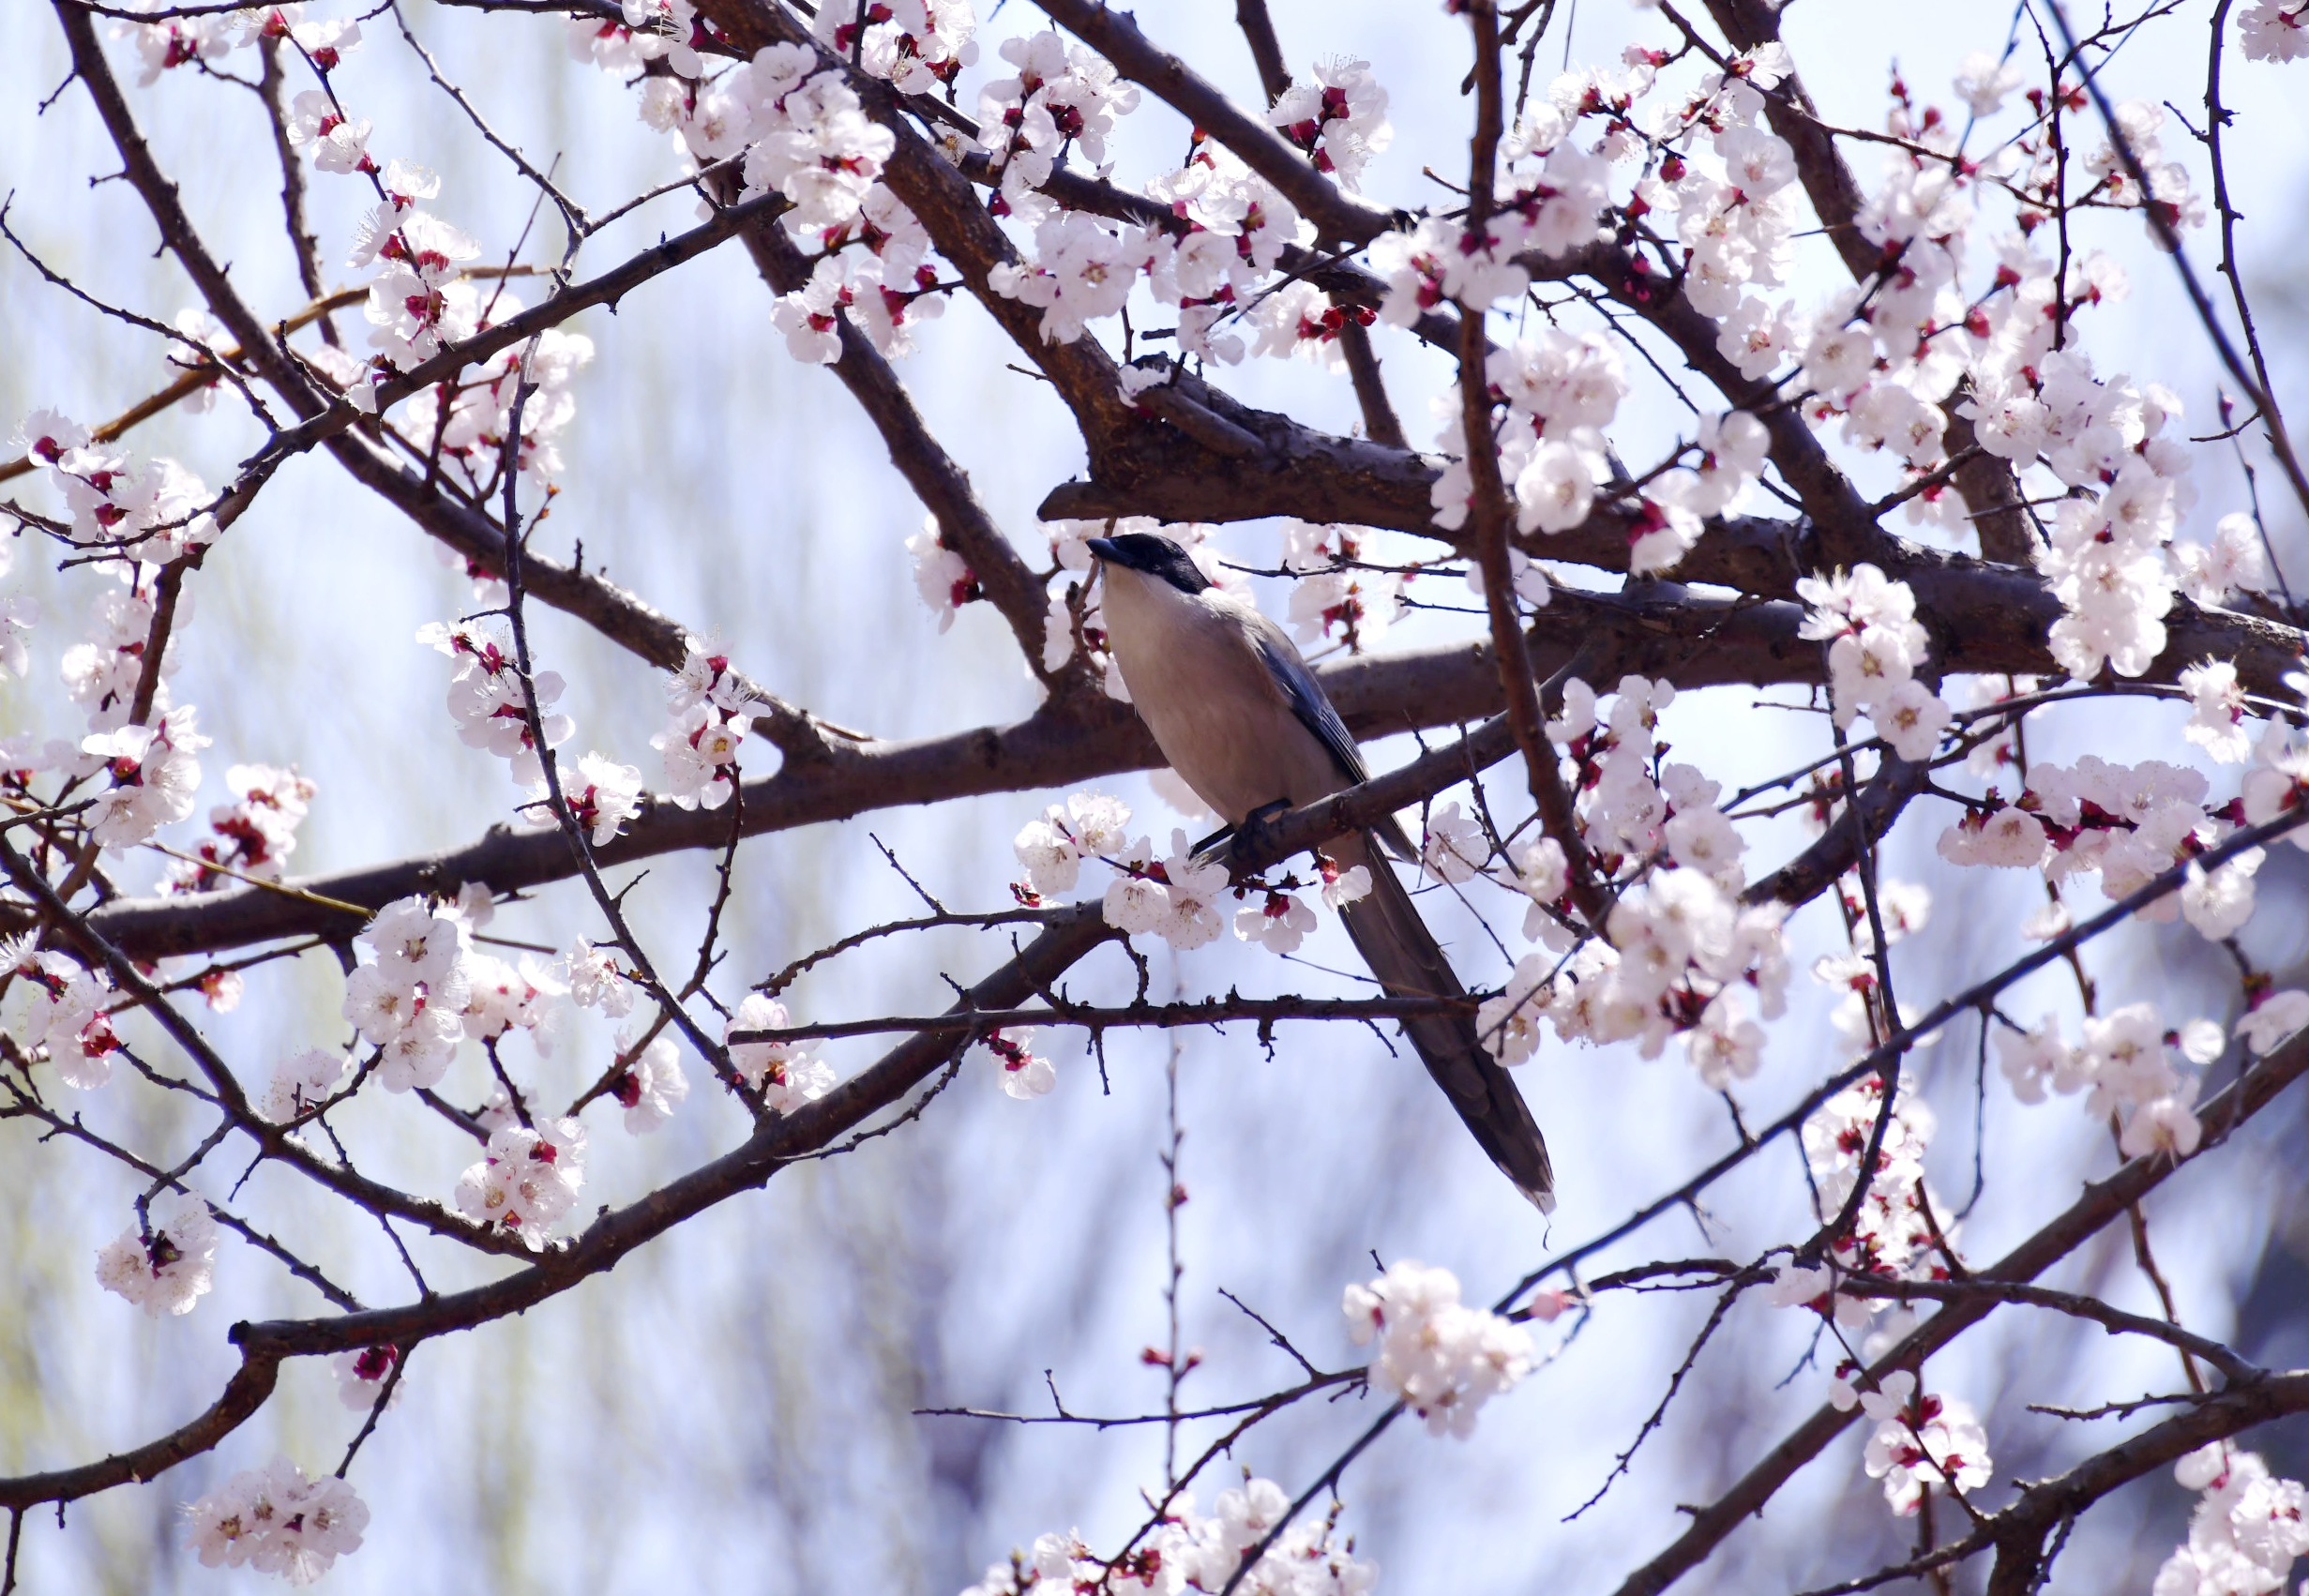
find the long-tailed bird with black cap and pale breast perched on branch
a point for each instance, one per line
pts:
(1246, 724)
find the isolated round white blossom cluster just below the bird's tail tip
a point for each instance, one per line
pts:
(1442, 1357)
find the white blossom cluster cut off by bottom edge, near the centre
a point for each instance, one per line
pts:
(1193, 1553)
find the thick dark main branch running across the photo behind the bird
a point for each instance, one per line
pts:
(1689, 641)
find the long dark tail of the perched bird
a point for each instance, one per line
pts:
(1407, 960)
